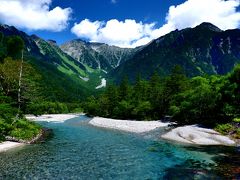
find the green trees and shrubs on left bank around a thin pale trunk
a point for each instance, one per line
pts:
(17, 89)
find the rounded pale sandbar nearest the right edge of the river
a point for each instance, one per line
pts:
(197, 135)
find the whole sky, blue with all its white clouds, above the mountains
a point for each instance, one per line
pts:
(125, 23)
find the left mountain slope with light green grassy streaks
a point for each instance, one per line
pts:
(63, 78)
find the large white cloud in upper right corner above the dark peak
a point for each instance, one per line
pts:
(193, 12)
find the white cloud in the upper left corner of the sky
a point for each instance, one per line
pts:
(34, 14)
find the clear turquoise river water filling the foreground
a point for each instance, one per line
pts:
(81, 151)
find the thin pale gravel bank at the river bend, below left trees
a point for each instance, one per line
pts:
(52, 117)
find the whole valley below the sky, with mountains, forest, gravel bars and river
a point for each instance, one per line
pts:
(127, 106)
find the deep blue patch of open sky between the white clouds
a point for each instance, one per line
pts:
(104, 10)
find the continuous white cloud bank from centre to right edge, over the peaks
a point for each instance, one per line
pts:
(191, 13)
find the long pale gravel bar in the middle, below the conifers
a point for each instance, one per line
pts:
(126, 125)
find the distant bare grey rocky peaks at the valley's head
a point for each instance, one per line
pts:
(97, 55)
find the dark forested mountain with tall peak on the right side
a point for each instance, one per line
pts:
(204, 49)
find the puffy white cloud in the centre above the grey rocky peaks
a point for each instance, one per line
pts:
(120, 33)
